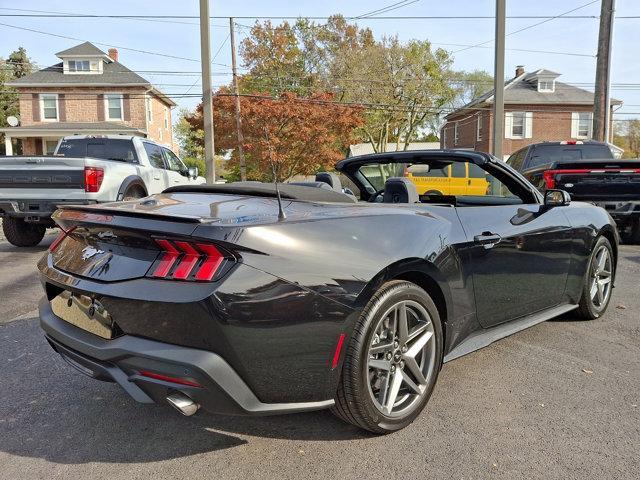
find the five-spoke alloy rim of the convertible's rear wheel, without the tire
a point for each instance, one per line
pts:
(401, 358)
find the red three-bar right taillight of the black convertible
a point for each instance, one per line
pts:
(181, 260)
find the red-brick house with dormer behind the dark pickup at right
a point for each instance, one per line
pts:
(537, 108)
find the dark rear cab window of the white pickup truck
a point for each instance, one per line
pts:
(104, 148)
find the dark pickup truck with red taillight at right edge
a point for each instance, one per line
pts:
(590, 173)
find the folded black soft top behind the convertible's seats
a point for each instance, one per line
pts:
(258, 189)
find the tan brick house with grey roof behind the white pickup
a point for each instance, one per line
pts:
(88, 92)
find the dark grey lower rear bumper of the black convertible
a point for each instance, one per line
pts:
(220, 390)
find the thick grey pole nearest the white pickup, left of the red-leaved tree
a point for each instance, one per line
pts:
(207, 107)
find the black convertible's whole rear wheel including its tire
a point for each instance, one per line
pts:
(360, 399)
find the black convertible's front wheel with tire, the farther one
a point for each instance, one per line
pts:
(598, 281)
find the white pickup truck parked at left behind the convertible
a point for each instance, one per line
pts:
(83, 169)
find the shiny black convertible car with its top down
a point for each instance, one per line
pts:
(214, 297)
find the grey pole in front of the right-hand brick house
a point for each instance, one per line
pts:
(498, 80)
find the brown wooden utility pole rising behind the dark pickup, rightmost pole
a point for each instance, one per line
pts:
(601, 99)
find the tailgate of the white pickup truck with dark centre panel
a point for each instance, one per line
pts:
(24, 177)
